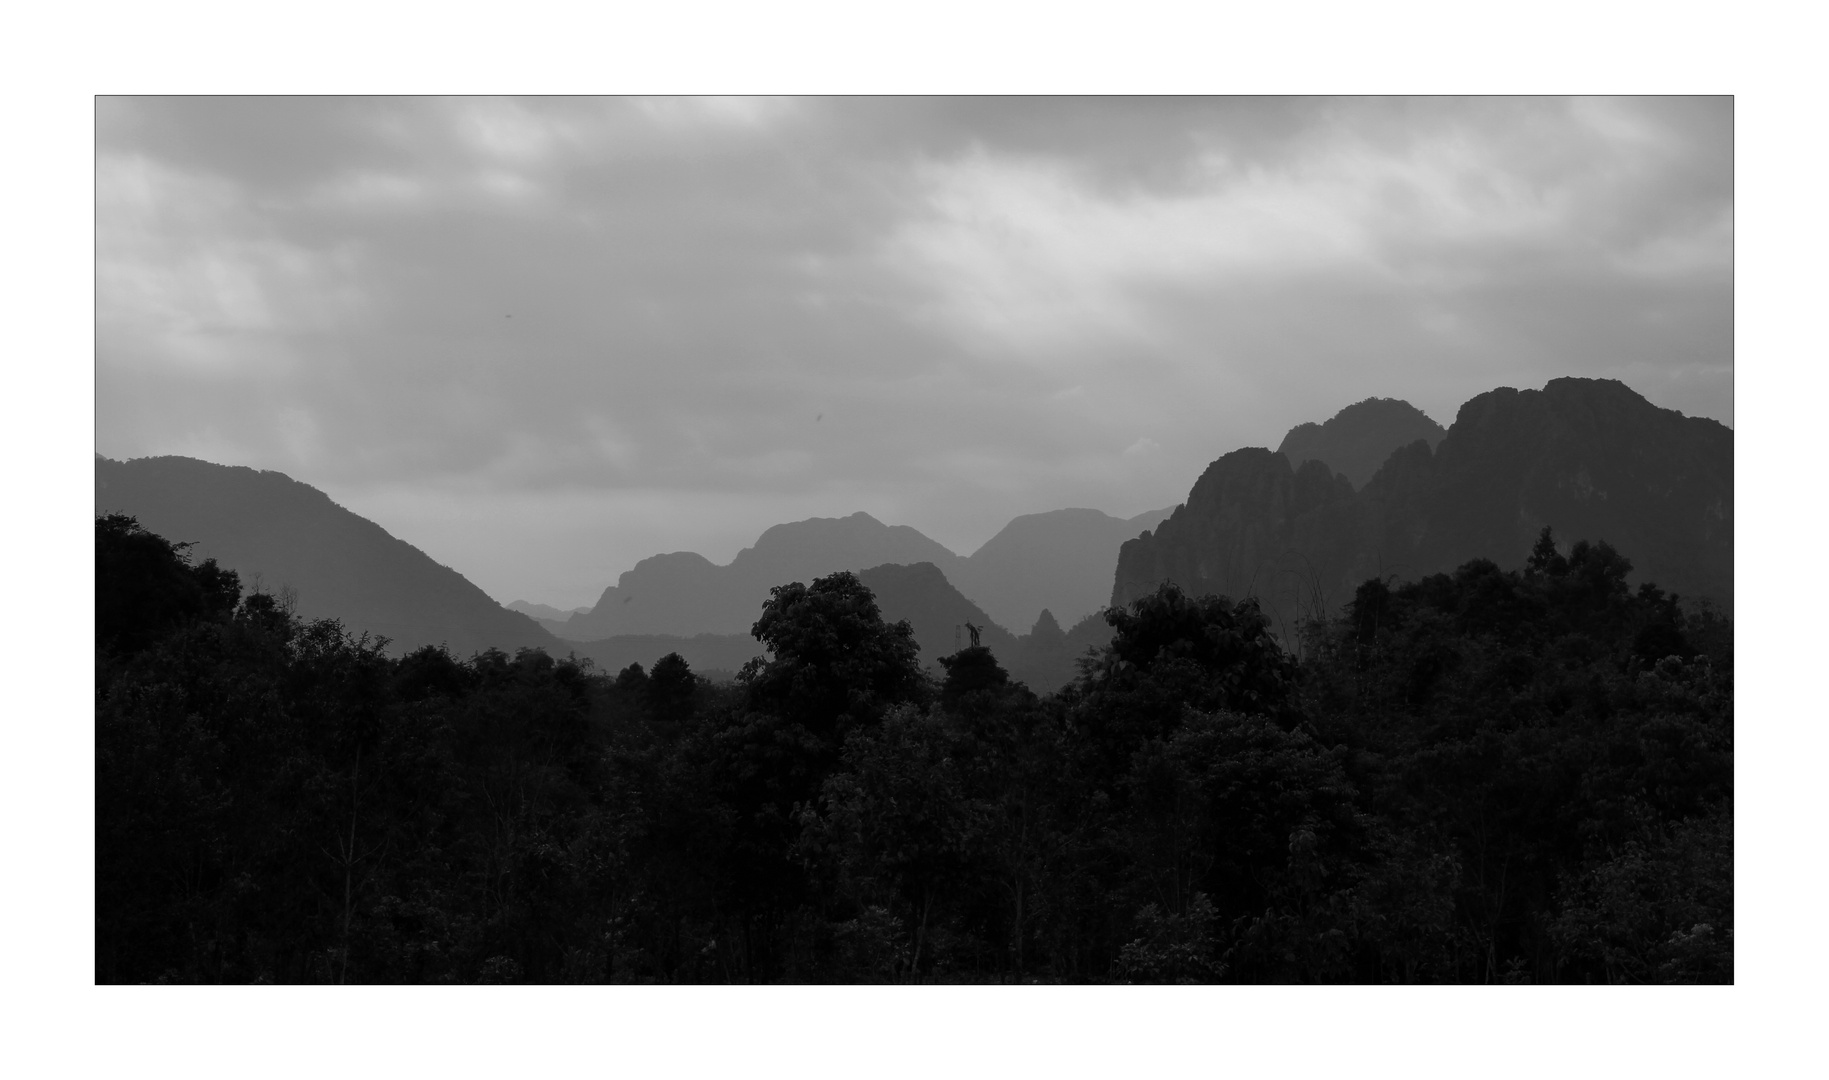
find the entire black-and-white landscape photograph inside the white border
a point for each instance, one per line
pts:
(915, 541)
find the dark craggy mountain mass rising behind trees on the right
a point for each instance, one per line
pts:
(1590, 459)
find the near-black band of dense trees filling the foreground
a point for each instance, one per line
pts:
(1495, 775)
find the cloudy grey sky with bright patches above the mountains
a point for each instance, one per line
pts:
(544, 340)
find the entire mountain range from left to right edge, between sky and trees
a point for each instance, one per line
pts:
(1296, 528)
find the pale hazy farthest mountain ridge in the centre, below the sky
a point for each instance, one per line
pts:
(1062, 561)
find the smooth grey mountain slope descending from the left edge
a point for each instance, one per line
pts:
(283, 534)
